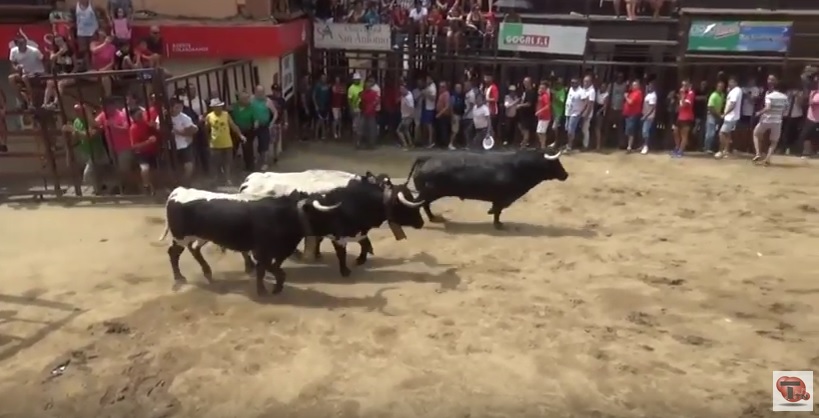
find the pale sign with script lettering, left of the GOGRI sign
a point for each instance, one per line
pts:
(352, 36)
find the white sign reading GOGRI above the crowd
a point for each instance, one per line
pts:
(549, 39)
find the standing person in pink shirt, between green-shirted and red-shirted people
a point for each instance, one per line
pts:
(114, 123)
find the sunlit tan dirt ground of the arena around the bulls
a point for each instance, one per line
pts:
(640, 287)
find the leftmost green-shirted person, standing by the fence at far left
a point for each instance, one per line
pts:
(88, 148)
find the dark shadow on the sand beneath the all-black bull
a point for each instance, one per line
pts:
(516, 229)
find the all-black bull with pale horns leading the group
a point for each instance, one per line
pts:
(500, 178)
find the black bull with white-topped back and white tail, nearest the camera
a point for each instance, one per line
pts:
(270, 228)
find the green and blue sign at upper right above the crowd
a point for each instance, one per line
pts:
(739, 36)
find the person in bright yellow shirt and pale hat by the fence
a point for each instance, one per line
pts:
(219, 126)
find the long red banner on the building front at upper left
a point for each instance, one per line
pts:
(198, 41)
